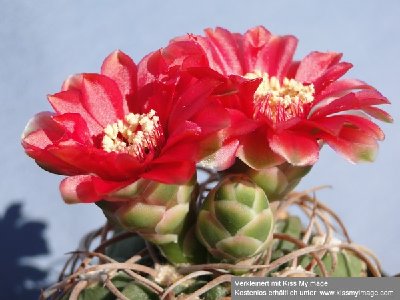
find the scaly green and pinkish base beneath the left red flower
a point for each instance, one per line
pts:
(159, 213)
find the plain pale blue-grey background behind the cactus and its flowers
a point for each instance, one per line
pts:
(42, 42)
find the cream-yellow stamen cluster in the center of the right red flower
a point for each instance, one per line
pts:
(280, 101)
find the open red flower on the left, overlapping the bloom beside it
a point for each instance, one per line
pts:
(107, 131)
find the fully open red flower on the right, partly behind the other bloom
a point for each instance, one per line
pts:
(281, 109)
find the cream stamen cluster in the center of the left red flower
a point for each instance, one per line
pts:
(136, 134)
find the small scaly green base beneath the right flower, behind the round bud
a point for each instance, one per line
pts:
(278, 181)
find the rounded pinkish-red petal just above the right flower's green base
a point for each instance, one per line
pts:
(297, 149)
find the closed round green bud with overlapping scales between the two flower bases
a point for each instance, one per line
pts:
(235, 222)
